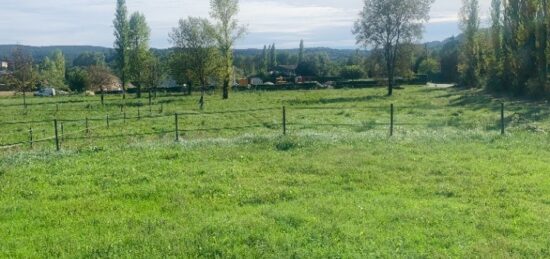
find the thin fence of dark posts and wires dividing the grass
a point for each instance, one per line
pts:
(61, 136)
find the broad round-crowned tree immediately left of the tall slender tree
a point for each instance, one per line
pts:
(194, 41)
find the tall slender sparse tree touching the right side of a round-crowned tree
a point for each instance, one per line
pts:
(227, 32)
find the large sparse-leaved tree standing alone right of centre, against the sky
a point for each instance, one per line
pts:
(388, 24)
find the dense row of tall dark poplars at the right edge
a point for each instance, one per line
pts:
(511, 56)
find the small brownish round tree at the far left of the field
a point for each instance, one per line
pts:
(24, 73)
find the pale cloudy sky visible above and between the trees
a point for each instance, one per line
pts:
(326, 23)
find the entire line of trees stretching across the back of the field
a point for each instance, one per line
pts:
(510, 56)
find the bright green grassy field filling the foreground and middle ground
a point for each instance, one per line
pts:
(447, 184)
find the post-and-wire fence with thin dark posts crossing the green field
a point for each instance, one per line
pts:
(60, 133)
